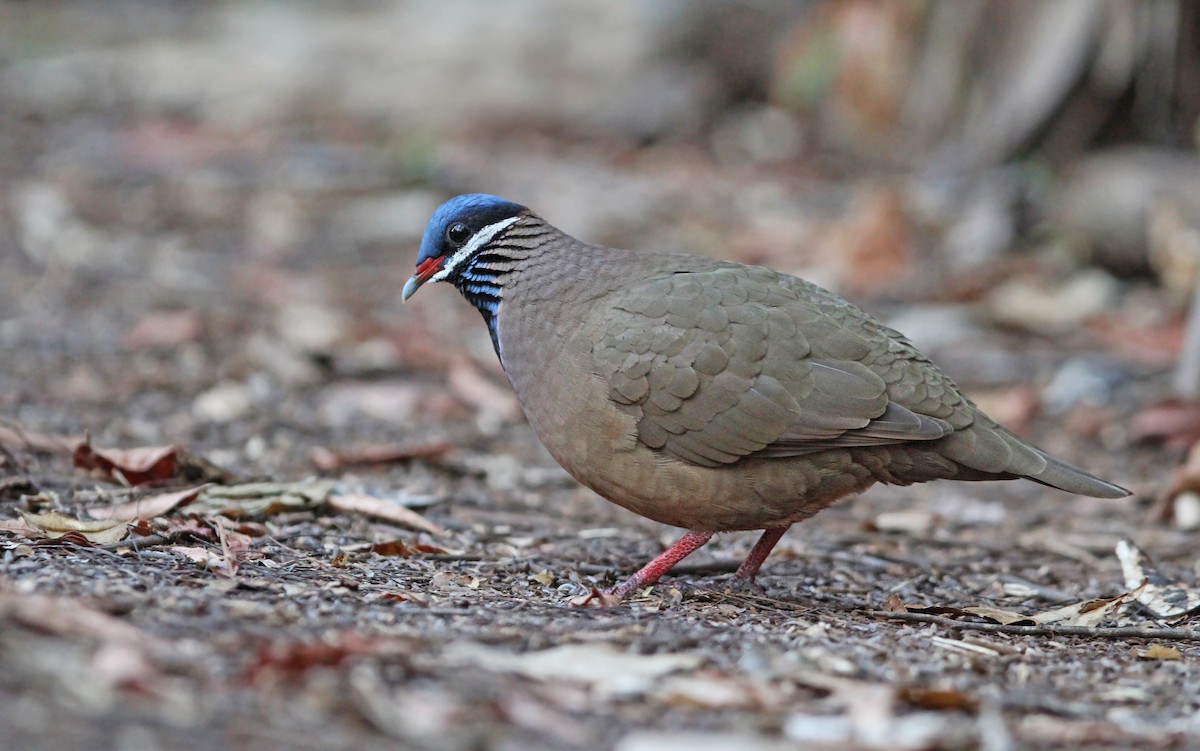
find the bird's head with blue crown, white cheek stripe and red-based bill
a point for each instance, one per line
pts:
(459, 231)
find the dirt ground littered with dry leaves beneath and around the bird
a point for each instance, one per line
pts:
(369, 549)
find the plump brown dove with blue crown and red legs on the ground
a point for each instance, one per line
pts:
(710, 395)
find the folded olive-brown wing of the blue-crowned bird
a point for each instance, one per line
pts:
(736, 362)
